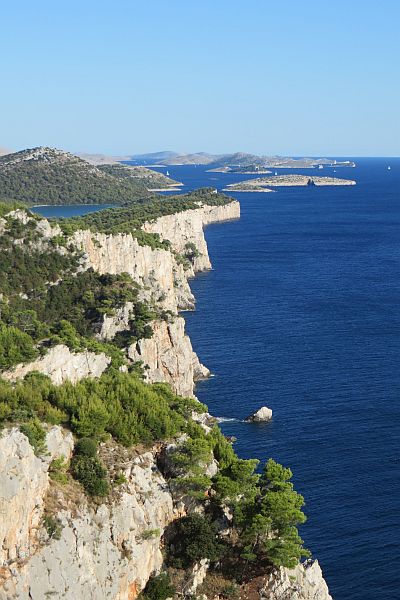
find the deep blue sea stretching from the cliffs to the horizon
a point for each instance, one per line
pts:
(301, 313)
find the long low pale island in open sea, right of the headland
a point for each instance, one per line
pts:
(263, 184)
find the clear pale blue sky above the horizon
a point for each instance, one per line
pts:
(127, 76)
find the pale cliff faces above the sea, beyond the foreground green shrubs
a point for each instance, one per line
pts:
(168, 355)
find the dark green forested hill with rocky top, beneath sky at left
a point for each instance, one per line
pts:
(50, 176)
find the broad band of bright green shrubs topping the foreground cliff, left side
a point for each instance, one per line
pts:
(117, 404)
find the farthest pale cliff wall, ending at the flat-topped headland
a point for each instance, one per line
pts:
(163, 279)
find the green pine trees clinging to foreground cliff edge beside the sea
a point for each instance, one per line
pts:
(266, 510)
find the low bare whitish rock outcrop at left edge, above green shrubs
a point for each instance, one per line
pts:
(60, 364)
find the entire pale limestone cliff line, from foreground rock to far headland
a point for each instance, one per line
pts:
(54, 540)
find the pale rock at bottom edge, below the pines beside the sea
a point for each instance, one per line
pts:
(304, 582)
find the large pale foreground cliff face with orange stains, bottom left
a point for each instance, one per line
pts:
(106, 551)
